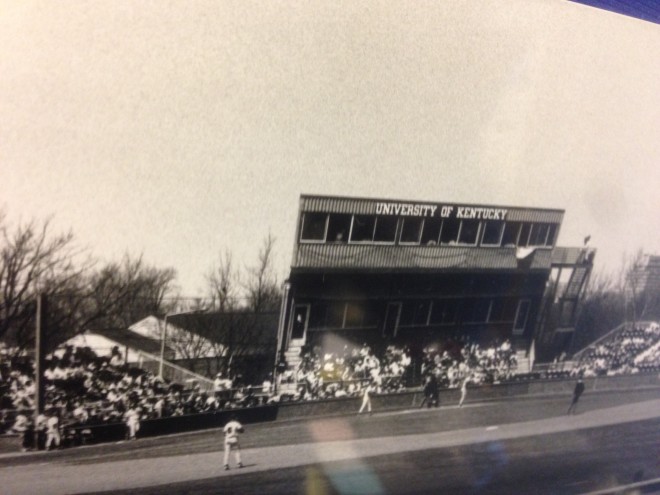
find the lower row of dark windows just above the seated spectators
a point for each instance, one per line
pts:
(436, 312)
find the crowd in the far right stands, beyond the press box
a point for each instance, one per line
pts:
(631, 350)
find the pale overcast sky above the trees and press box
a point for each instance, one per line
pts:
(183, 129)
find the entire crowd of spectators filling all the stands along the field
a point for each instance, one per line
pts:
(83, 389)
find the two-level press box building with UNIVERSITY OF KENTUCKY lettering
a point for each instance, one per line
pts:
(412, 273)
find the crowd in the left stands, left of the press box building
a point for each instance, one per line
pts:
(84, 390)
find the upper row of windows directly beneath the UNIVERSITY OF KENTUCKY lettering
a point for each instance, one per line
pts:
(342, 227)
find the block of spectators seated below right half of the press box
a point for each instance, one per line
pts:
(461, 359)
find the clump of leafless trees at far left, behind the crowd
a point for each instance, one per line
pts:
(33, 261)
